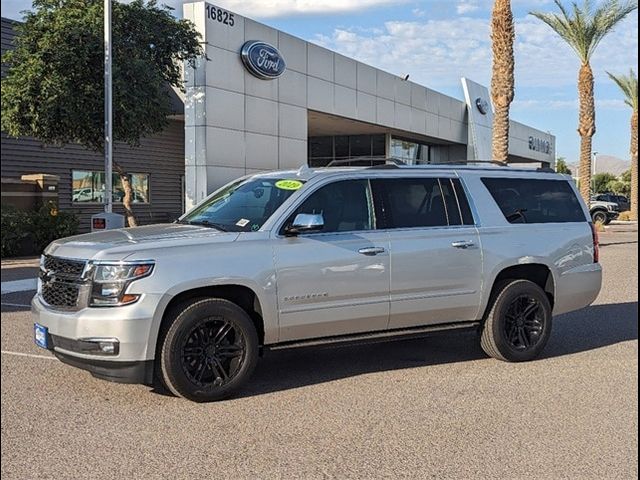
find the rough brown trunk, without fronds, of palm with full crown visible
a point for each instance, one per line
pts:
(586, 128)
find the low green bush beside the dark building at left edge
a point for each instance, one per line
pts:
(41, 226)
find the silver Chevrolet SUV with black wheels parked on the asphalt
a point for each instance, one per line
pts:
(295, 258)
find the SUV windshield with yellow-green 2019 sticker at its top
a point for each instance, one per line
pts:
(243, 206)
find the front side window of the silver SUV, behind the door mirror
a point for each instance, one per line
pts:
(345, 206)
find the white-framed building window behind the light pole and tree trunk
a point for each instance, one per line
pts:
(88, 187)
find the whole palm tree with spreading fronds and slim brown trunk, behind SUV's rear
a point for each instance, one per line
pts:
(583, 28)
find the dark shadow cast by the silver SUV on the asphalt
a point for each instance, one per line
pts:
(591, 328)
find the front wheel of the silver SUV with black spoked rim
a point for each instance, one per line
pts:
(209, 351)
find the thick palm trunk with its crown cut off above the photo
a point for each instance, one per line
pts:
(502, 36)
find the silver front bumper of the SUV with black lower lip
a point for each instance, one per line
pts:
(128, 327)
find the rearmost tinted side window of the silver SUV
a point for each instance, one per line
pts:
(523, 200)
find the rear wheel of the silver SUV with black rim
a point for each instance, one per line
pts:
(510, 333)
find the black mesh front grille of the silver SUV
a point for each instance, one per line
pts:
(61, 281)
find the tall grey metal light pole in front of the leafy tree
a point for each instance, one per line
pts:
(108, 112)
